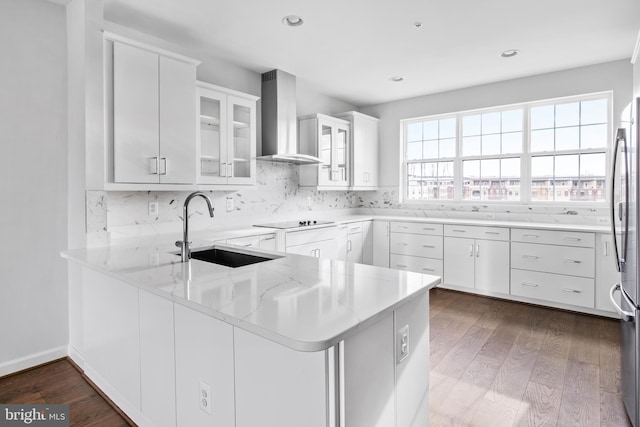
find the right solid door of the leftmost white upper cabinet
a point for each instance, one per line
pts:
(177, 134)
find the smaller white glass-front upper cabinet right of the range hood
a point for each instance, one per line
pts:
(328, 138)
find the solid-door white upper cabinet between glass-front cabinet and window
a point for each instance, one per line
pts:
(364, 150)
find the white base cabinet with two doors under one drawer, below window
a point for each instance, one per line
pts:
(473, 263)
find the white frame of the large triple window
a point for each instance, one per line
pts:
(525, 156)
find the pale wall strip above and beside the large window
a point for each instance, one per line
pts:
(616, 76)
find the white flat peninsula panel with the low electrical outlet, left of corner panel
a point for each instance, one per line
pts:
(204, 355)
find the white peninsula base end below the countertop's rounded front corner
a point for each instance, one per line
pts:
(360, 382)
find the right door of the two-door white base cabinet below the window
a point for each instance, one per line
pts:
(492, 266)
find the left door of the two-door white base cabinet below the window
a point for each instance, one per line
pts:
(459, 260)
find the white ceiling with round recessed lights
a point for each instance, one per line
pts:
(349, 49)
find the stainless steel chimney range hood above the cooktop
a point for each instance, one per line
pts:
(280, 121)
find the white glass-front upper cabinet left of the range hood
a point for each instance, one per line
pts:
(226, 143)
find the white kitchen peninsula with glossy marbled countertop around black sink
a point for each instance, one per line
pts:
(292, 341)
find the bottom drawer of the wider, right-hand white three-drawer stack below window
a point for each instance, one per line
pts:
(553, 287)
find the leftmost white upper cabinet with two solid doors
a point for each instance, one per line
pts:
(151, 93)
